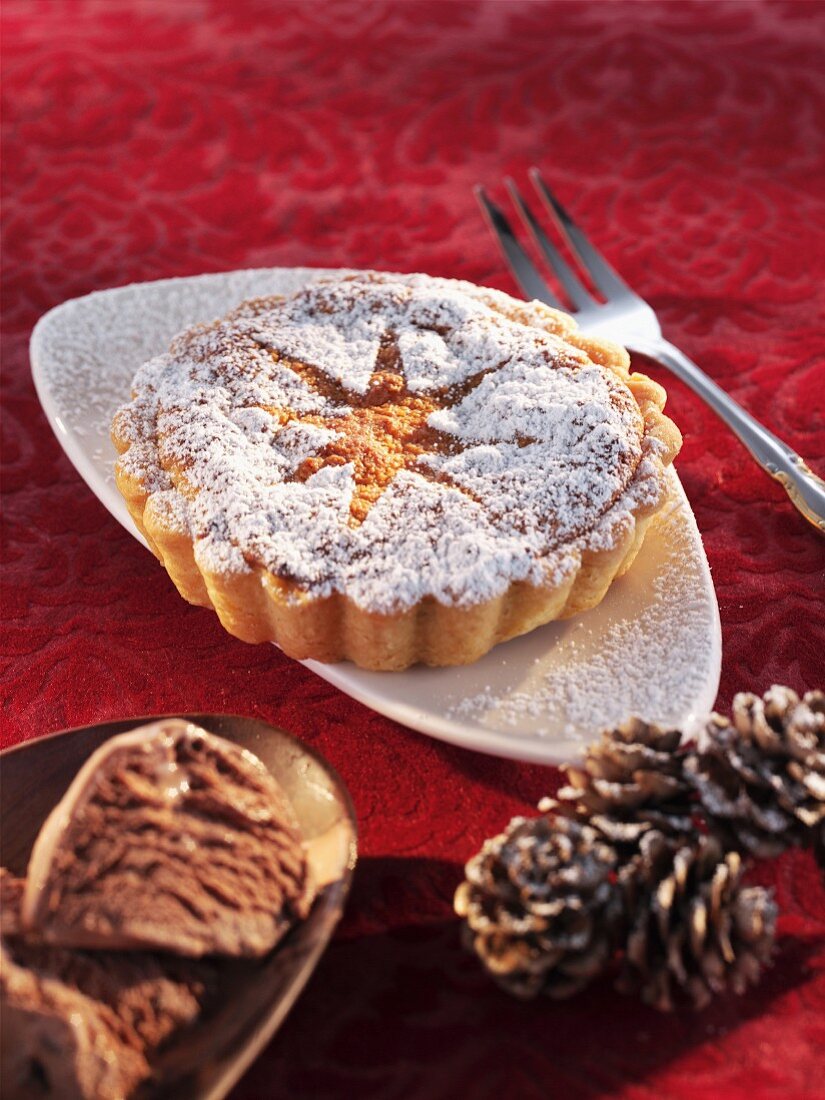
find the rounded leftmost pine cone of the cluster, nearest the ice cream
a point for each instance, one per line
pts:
(541, 905)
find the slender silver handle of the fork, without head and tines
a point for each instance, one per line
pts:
(806, 490)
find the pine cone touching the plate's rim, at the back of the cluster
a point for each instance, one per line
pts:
(632, 784)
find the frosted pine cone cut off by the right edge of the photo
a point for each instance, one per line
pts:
(762, 779)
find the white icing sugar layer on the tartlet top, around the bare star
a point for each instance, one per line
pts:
(538, 454)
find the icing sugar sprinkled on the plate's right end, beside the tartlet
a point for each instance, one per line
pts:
(573, 691)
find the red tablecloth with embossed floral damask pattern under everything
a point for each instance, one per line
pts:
(152, 138)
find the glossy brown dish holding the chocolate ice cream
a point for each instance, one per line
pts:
(254, 997)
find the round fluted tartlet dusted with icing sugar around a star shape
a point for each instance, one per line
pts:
(393, 470)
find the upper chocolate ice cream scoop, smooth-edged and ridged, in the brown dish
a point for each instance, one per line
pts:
(169, 839)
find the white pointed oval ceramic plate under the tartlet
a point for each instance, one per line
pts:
(652, 648)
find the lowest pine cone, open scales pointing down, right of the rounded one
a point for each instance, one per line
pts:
(695, 930)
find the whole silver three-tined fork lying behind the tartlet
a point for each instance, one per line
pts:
(630, 321)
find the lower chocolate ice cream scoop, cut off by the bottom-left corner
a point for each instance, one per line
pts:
(87, 1025)
